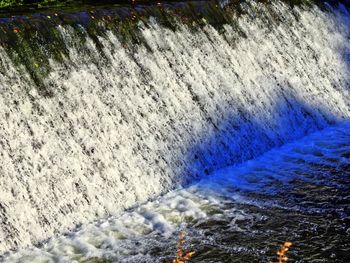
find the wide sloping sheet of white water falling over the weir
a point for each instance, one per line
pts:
(98, 114)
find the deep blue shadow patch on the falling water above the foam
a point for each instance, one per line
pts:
(242, 136)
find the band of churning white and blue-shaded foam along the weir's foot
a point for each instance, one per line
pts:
(132, 232)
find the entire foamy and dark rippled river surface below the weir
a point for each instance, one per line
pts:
(298, 193)
